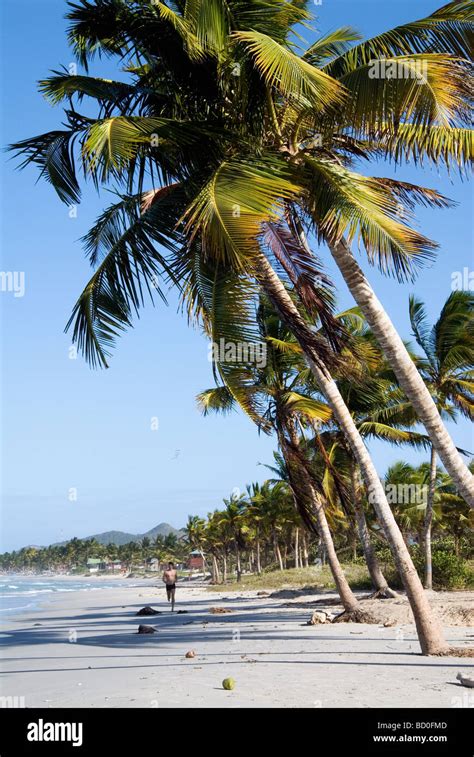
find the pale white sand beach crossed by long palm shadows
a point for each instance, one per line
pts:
(263, 644)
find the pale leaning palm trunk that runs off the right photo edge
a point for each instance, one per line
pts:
(404, 368)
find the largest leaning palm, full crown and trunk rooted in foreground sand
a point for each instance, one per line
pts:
(237, 134)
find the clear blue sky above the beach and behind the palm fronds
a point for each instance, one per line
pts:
(78, 452)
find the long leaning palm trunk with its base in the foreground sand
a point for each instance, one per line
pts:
(429, 632)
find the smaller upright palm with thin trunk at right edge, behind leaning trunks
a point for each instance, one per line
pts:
(447, 368)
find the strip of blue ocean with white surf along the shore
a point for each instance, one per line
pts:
(20, 593)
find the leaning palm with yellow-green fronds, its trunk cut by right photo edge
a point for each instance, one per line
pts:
(420, 113)
